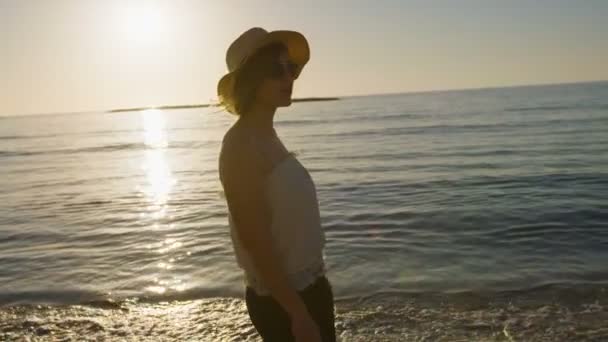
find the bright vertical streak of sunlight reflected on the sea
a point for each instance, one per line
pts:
(157, 191)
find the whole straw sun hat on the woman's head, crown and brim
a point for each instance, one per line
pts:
(246, 46)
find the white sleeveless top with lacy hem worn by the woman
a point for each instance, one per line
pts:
(296, 227)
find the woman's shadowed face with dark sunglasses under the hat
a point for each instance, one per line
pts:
(277, 84)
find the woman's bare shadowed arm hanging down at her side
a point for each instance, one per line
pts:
(242, 173)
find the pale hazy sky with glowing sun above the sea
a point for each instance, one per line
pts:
(87, 55)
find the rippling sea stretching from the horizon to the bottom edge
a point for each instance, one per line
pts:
(447, 214)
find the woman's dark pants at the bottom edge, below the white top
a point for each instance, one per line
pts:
(273, 323)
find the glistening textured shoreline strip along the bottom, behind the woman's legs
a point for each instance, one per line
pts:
(543, 314)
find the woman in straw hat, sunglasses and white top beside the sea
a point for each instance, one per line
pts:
(272, 203)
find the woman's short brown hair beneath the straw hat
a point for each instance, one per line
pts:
(251, 75)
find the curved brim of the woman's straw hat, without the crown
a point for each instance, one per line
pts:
(297, 49)
